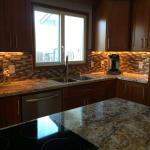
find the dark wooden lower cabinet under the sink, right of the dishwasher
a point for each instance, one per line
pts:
(80, 95)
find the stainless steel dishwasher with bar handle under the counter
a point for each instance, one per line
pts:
(41, 104)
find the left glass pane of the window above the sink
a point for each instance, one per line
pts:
(47, 35)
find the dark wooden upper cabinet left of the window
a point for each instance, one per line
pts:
(15, 25)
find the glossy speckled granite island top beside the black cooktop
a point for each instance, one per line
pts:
(113, 124)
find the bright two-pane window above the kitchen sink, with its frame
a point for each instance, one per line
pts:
(59, 34)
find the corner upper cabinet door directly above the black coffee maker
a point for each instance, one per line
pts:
(118, 26)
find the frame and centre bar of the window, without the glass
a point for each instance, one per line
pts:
(62, 12)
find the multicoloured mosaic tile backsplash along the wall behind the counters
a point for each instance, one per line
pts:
(129, 62)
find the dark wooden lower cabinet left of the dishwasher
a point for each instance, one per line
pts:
(10, 111)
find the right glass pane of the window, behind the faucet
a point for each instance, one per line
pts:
(74, 38)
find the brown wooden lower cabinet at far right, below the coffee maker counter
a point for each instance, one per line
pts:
(131, 91)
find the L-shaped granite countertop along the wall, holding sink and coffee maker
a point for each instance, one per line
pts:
(36, 85)
